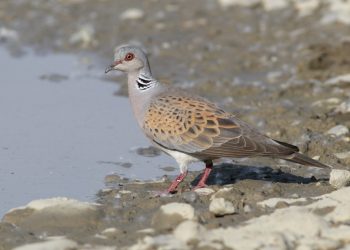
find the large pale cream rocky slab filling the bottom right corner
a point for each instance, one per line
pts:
(323, 224)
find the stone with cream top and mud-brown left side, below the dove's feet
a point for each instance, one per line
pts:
(171, 214)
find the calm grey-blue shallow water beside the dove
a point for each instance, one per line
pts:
(63, 130)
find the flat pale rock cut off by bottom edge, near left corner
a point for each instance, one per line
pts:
(60, 243)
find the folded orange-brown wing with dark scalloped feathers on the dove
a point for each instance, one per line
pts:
(198, 127)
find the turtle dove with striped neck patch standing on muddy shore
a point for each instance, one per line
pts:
(191, 128)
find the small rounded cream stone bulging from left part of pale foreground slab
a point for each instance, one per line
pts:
(189, 231)
